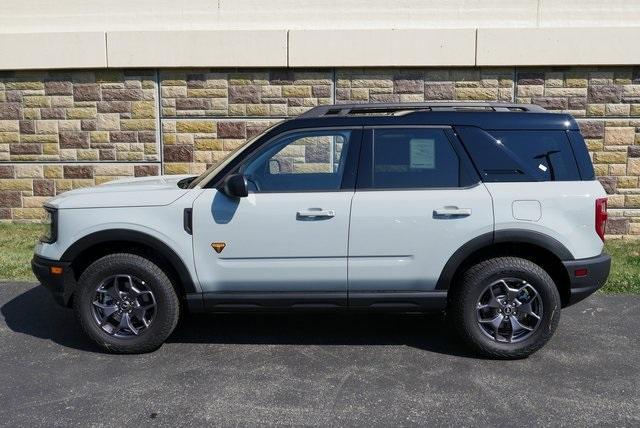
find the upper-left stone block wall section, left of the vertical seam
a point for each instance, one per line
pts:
(78, 116)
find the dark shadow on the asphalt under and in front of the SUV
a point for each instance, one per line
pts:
(35, 313)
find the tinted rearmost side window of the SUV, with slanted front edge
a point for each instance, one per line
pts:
(548, 153)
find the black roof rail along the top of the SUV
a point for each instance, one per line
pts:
(404, 108)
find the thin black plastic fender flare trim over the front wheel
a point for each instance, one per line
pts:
(136, 237)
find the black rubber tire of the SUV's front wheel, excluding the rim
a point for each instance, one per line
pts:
(127, 264)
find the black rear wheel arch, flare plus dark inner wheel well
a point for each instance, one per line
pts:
(536, 247)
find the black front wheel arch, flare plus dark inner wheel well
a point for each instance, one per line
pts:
(95, 245)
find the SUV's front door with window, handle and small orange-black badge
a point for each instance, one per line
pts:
(290, 234)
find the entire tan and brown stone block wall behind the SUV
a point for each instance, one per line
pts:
(65, 129)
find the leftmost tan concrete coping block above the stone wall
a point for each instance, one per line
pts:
(20, 51)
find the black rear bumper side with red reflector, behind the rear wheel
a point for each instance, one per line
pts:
(586, 276)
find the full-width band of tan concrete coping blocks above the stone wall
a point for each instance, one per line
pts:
(322, 48)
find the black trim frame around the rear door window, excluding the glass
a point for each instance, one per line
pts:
(456, 145)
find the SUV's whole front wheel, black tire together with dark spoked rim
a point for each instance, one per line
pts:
(140, 291)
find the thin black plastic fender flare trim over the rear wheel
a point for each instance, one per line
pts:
(513, 236)
